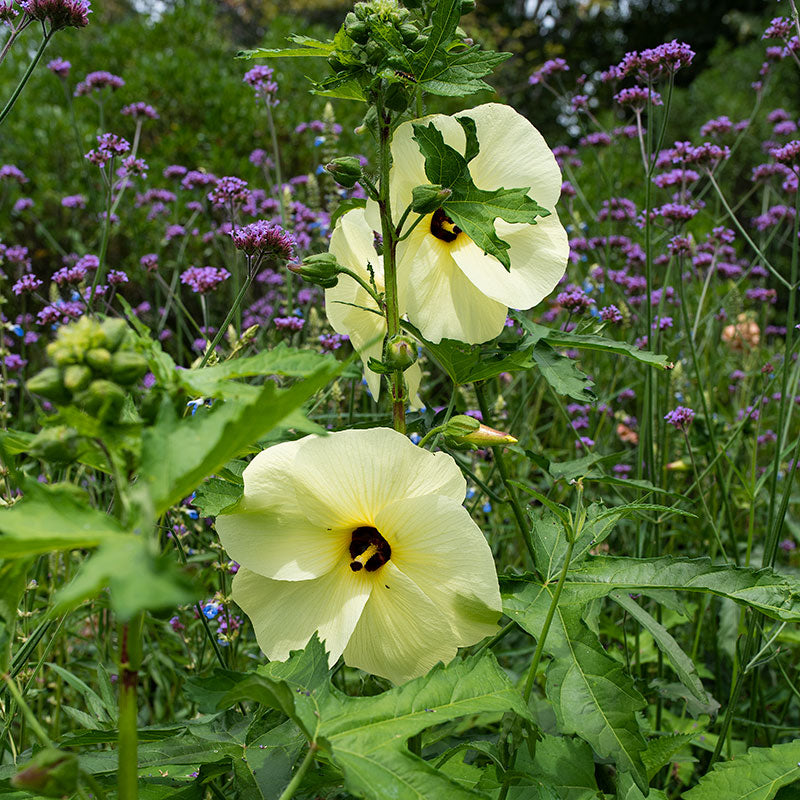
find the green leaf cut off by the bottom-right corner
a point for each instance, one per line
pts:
(755, 776)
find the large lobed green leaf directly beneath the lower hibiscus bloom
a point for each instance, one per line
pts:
(366, 736)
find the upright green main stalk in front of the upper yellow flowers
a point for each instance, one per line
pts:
(390, 262)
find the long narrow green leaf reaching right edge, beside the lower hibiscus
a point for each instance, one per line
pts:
(775, 595)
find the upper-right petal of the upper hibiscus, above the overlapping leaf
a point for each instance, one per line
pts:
(513, 154)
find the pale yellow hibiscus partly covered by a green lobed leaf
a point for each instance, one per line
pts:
(449, 288)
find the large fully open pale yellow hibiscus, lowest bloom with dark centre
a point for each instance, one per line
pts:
(361, 536)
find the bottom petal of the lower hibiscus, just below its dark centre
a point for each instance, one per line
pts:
(401, 634)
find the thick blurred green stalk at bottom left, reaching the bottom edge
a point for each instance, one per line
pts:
(130, 661)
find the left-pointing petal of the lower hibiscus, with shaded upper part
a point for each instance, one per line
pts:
(267, 531)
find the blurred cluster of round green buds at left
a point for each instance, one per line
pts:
(94, 364)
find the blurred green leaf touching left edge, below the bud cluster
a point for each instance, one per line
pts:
(53, 518)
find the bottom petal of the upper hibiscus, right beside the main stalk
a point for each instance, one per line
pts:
(438, 297)
